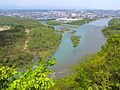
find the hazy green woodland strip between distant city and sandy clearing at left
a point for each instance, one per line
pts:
(14, 21)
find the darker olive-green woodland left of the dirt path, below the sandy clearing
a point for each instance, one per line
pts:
(11, 47)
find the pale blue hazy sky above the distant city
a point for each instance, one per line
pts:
(60, 4)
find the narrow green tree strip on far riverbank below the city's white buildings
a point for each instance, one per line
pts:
(81, 22)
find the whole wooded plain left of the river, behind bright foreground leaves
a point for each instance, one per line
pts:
(21, 45)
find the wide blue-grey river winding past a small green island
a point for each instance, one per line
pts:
(90, 42)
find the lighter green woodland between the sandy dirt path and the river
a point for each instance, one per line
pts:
(44, 40)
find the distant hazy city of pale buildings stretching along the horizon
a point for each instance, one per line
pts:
(61, 15)
